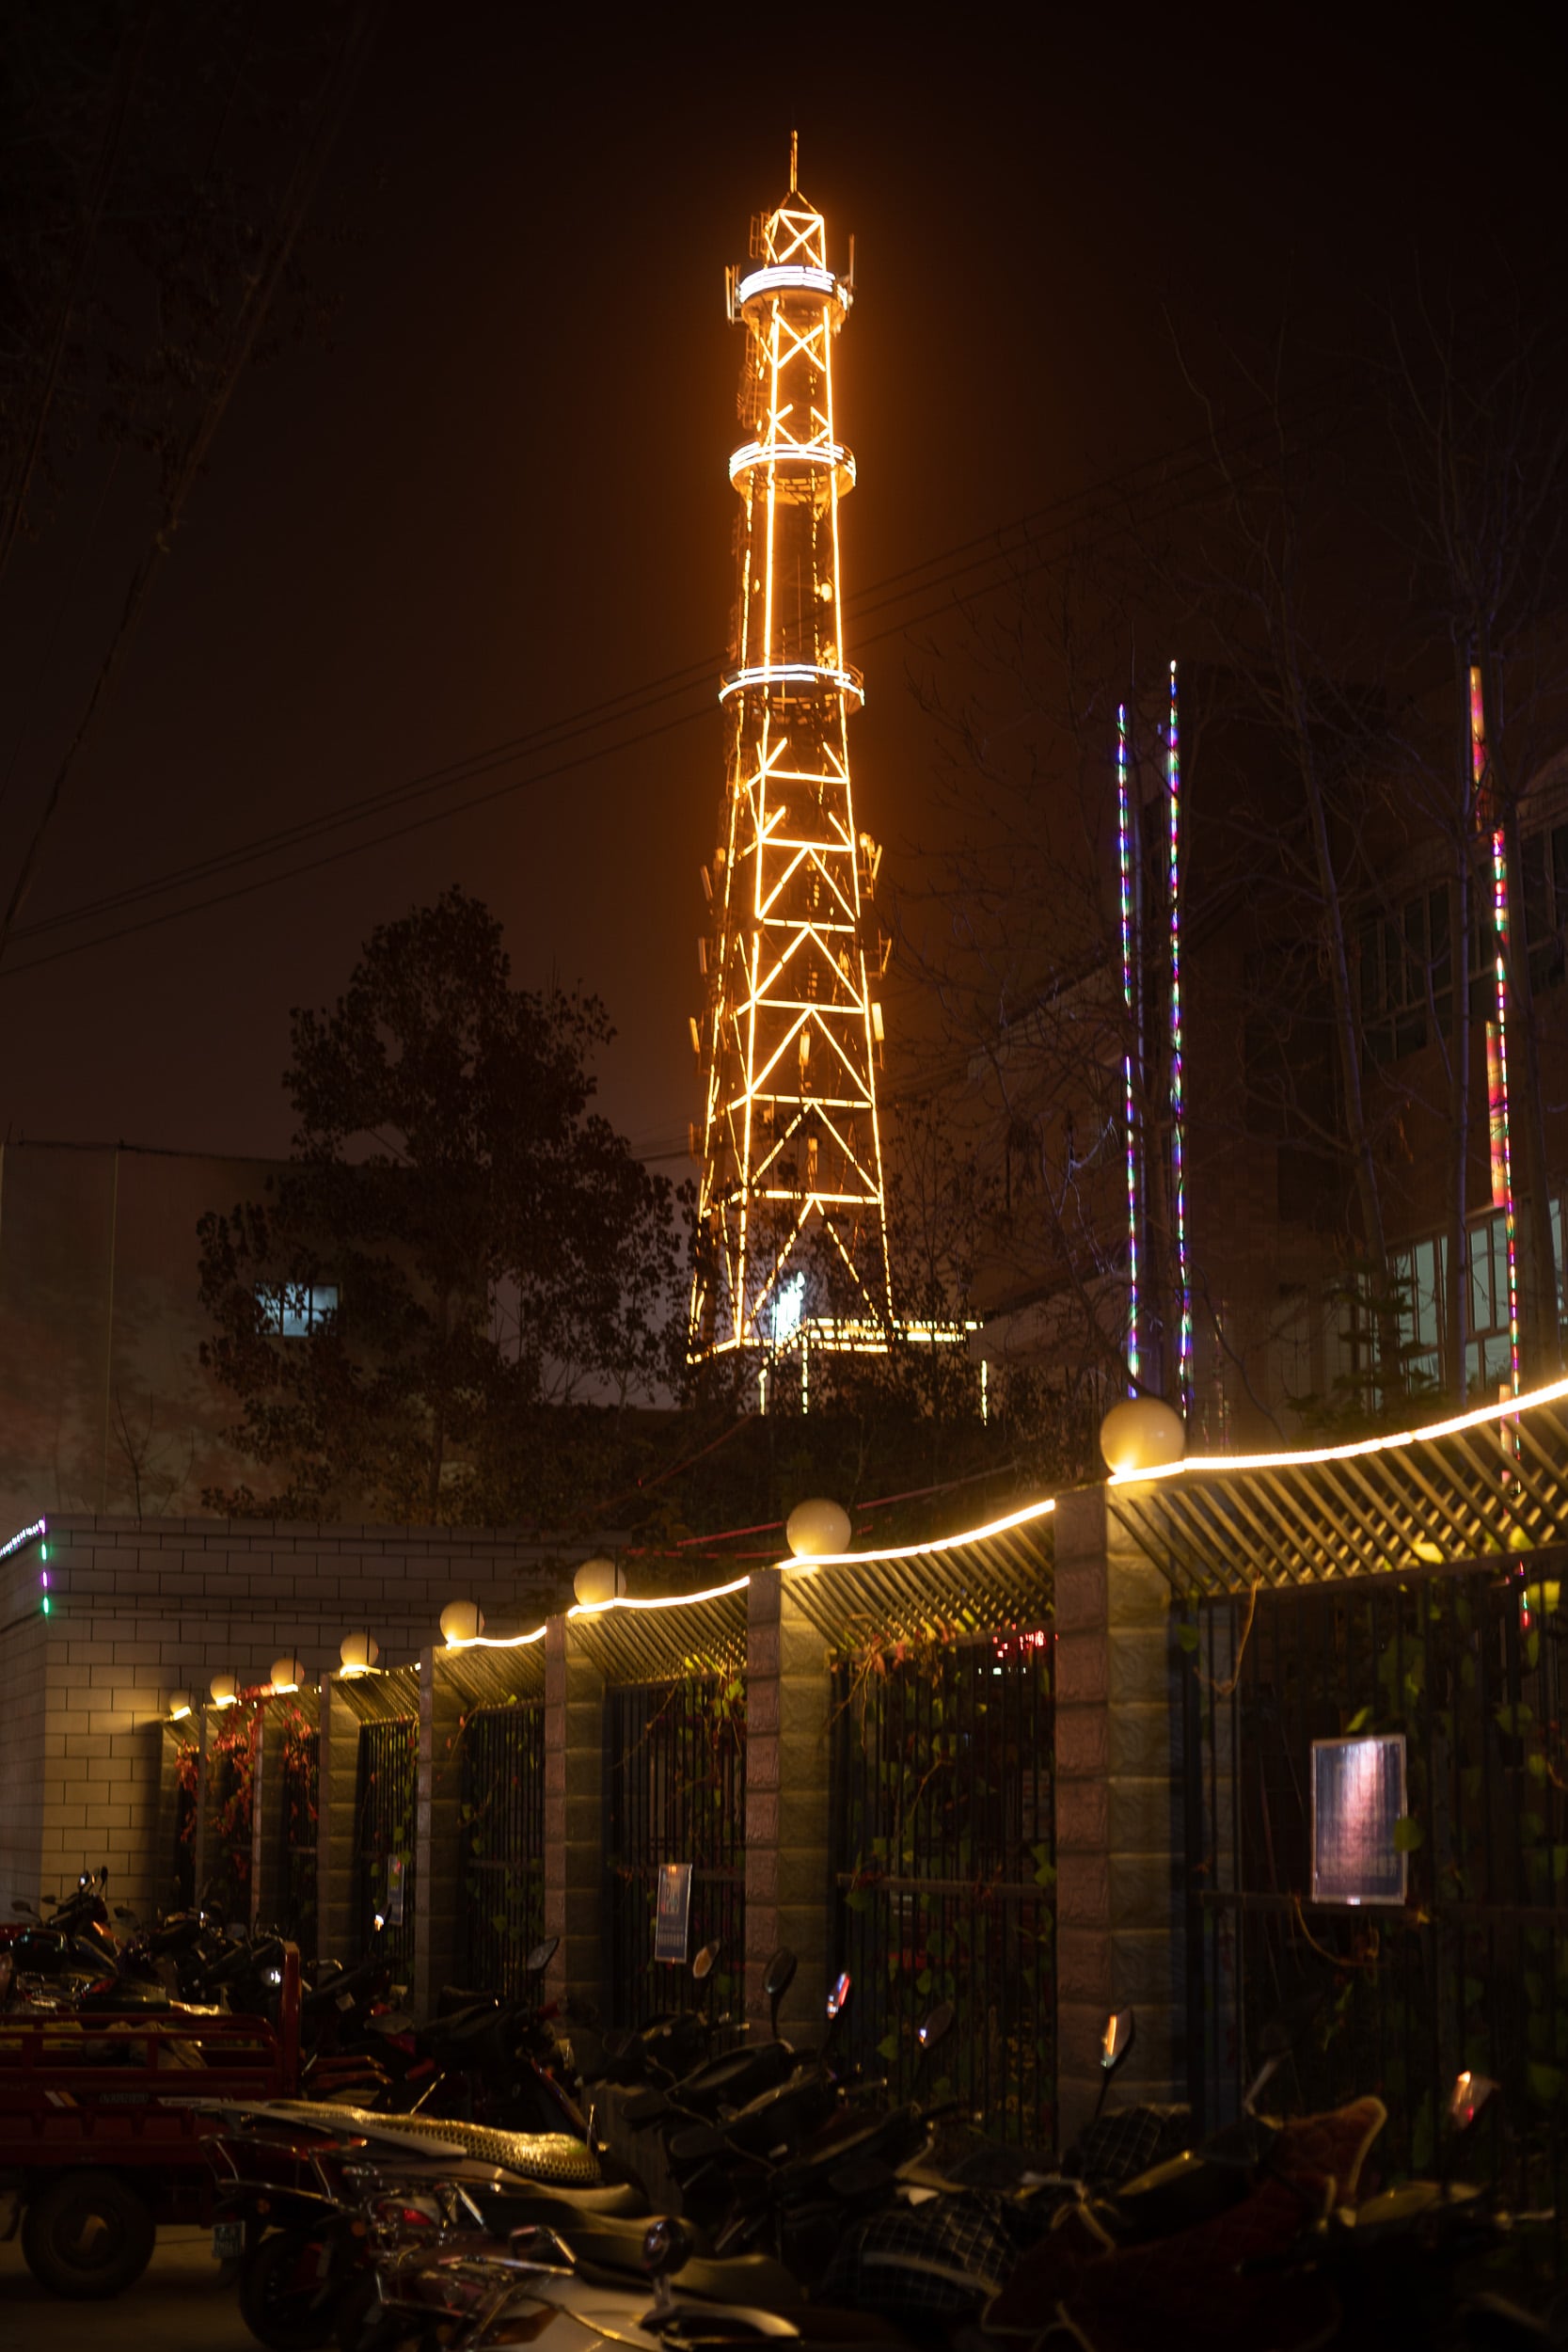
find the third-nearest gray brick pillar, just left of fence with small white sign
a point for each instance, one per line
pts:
(575, 1817)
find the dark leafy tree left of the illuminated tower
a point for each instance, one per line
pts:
(504, 1269)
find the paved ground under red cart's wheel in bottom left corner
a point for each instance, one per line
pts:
(177, 2306)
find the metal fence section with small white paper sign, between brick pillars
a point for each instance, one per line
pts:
(676, 1793)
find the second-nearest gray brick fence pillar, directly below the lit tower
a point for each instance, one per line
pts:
(789, 1852)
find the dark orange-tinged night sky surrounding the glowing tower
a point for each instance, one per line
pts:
(495, 497)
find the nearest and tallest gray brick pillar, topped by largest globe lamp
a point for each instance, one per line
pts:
(1118, 1812)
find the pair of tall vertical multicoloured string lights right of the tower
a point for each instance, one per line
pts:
(1139, 991)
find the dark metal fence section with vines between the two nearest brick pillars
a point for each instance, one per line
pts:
(946, 1873)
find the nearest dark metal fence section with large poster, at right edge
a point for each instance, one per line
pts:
(1470, 1970)
